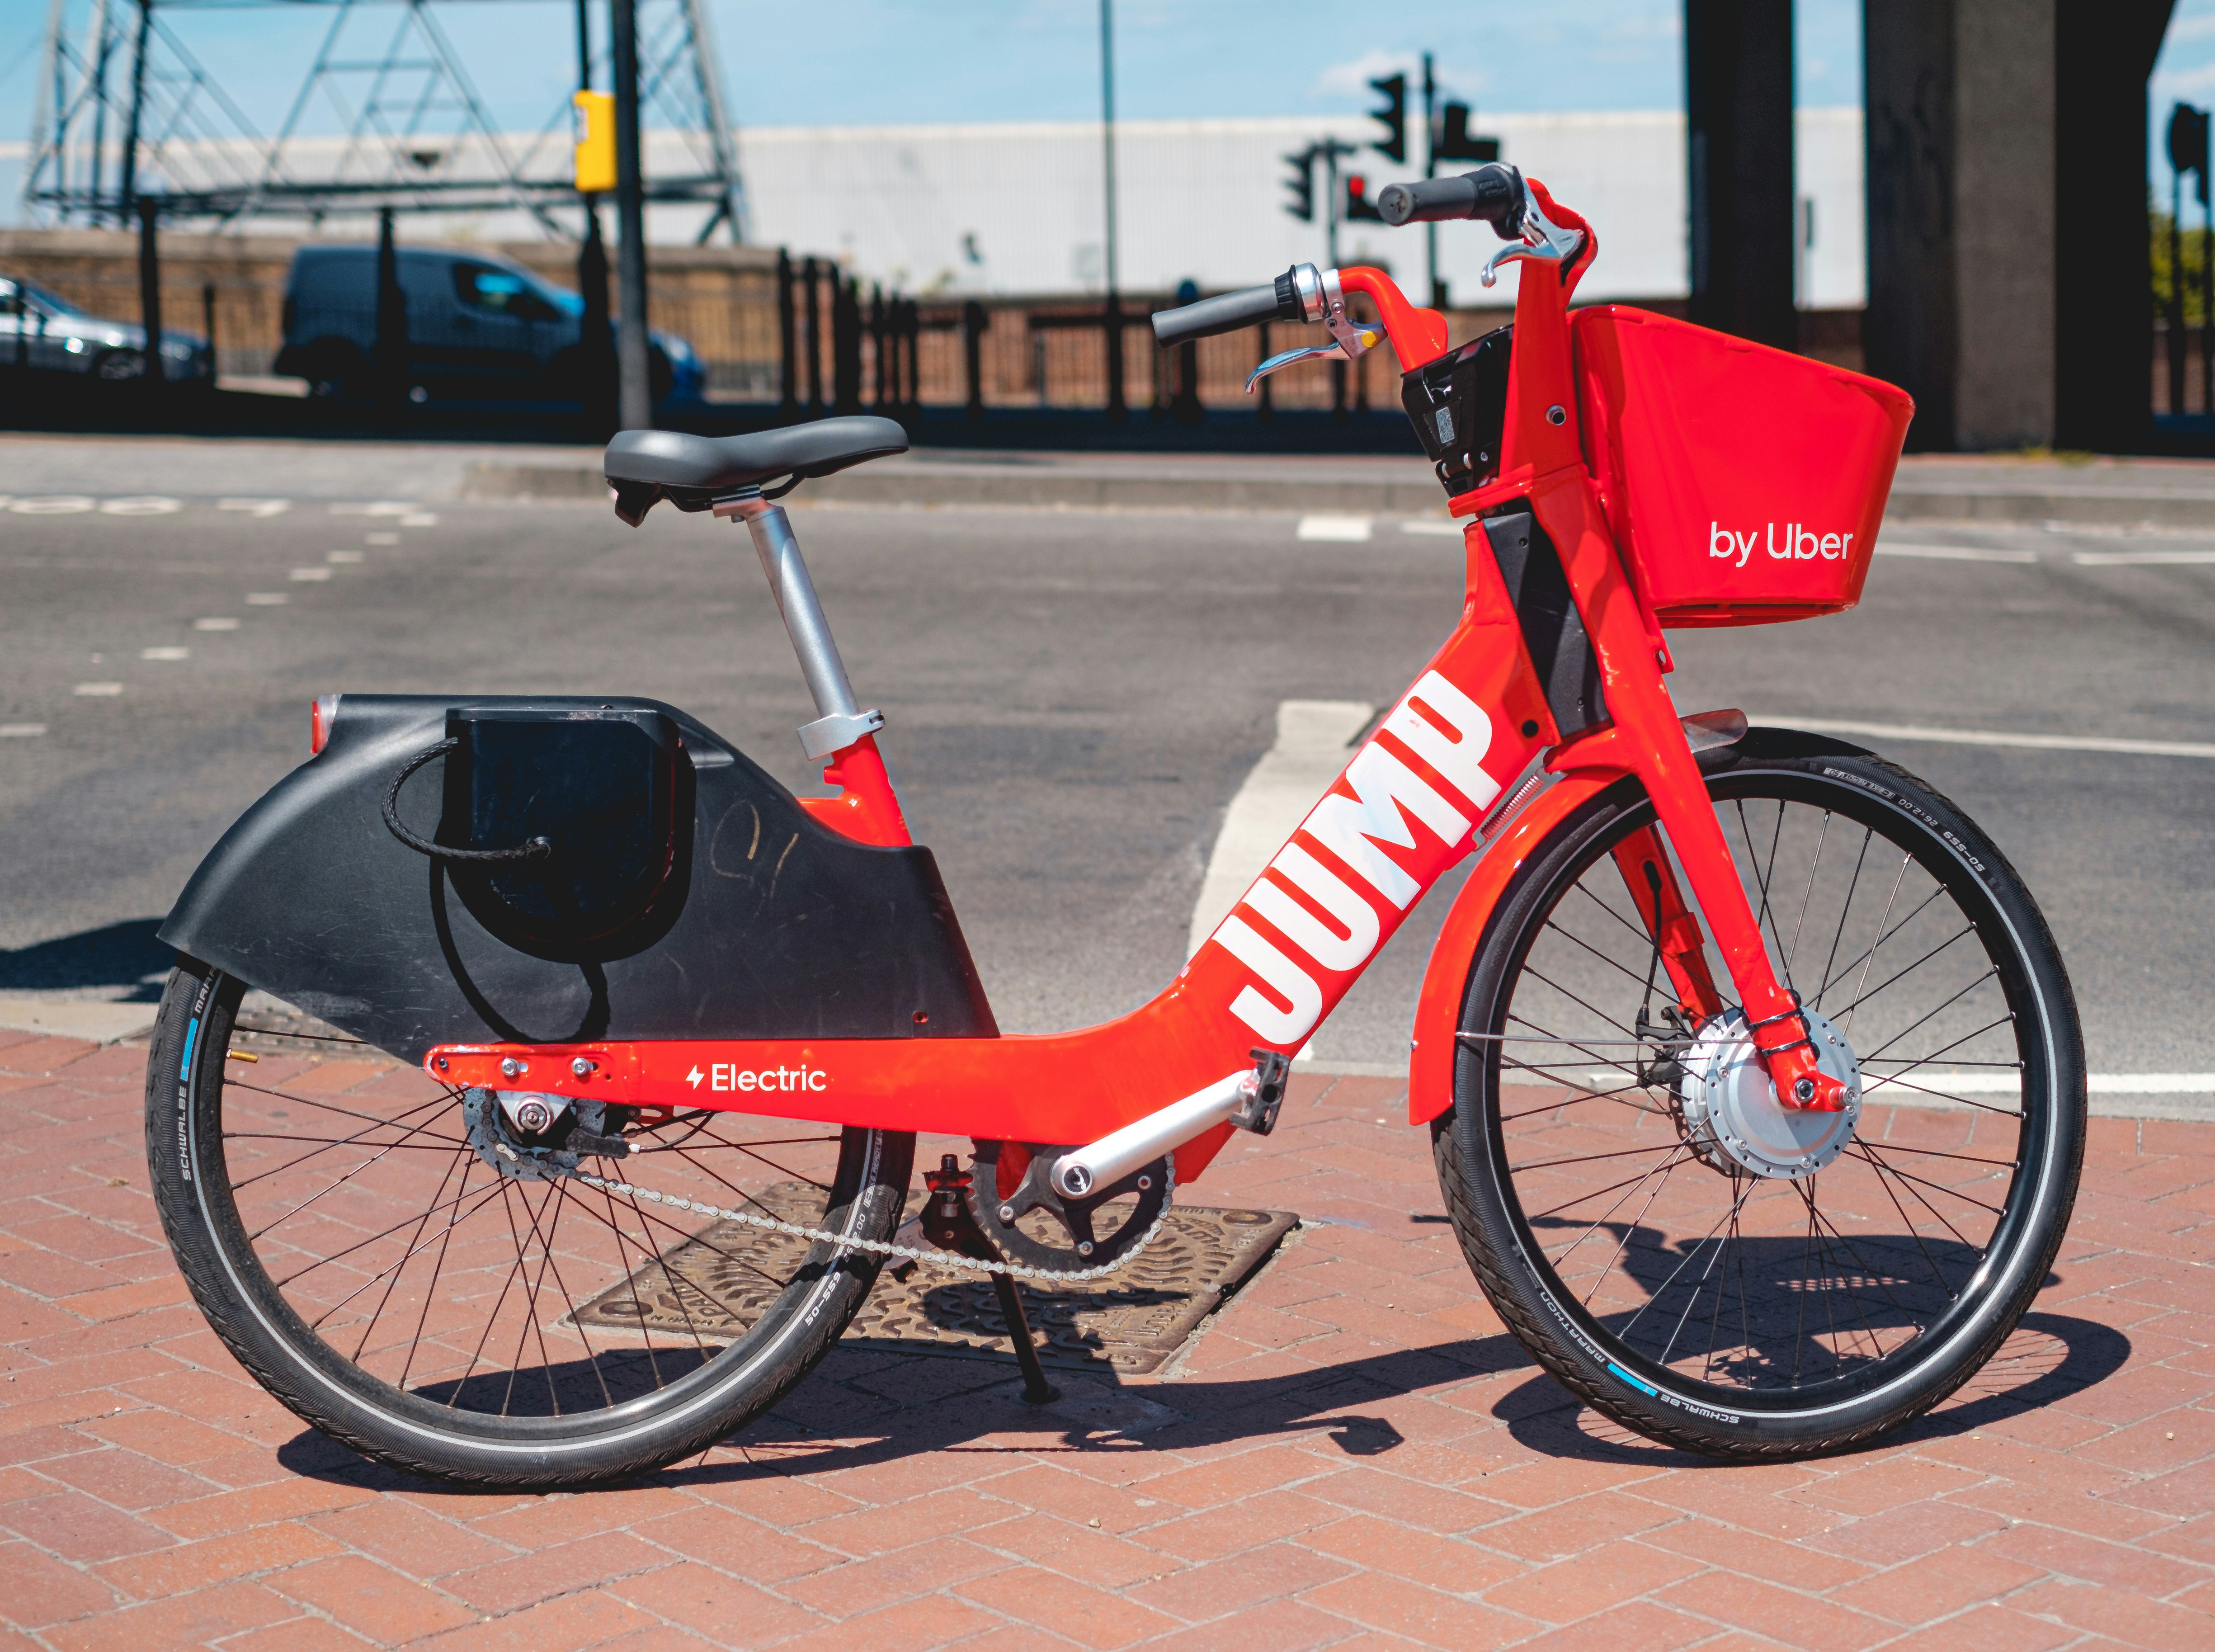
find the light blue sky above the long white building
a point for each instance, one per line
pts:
(956, 61)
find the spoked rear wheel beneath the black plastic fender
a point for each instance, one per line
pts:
(422, 1274)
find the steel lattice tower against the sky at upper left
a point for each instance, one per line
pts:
(387, 116)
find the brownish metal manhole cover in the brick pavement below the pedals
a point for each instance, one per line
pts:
(1131, 1321)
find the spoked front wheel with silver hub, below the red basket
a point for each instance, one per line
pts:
(1682, 1255)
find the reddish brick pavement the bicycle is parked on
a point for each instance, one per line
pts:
(1352, 1456)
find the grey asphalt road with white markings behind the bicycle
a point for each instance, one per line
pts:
(1073, 699)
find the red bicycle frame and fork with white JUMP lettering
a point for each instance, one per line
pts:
(1421, 794)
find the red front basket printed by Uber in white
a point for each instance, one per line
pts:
(1744, 484)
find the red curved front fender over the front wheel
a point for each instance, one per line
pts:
(1439, 1011)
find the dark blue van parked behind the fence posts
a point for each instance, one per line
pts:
(477, 327)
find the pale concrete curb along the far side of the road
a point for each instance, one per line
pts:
(1142, 488)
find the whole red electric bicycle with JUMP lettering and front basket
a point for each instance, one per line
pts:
(1751, 1068)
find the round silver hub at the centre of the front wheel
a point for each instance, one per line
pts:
(1731, 1111)
